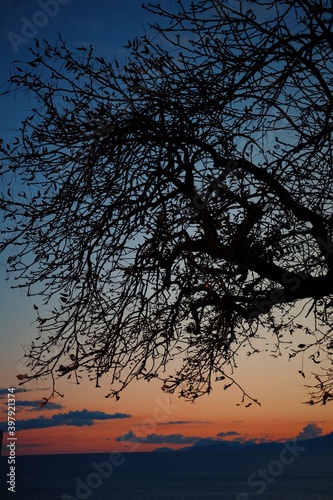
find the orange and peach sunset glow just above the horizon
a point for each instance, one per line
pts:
(276, 383)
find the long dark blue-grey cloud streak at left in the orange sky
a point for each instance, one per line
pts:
(76, 418)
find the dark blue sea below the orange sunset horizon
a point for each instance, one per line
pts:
(232, 474)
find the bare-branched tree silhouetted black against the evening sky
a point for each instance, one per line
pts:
(178, 207)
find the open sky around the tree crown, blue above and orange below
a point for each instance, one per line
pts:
(144, 418)
